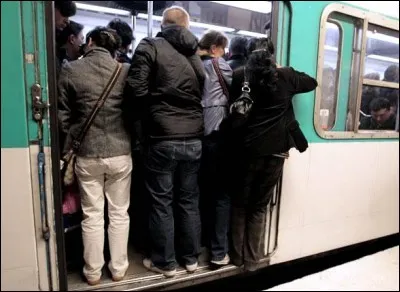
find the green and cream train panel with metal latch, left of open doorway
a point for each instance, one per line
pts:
(28, 234)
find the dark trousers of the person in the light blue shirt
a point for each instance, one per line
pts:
(215, 199)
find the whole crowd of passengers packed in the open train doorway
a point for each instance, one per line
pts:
(210, 134)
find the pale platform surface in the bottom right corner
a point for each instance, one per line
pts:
(376, 272)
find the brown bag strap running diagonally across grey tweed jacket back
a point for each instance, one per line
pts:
(100, 102)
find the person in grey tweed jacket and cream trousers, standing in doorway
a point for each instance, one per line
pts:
(104, 164)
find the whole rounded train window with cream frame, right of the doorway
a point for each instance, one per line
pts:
(358, 75)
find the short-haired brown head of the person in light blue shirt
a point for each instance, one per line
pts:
(213, 43)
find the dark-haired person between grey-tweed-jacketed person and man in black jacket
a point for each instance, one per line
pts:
(125, 32)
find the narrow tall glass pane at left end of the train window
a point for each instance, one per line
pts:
(330, 77)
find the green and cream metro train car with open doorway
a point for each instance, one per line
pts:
(342, 191)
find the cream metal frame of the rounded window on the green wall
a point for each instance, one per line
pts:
(367, 18)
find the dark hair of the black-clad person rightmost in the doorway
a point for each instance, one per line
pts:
(261, 67)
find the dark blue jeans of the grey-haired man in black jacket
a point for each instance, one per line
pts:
(168, 163)
